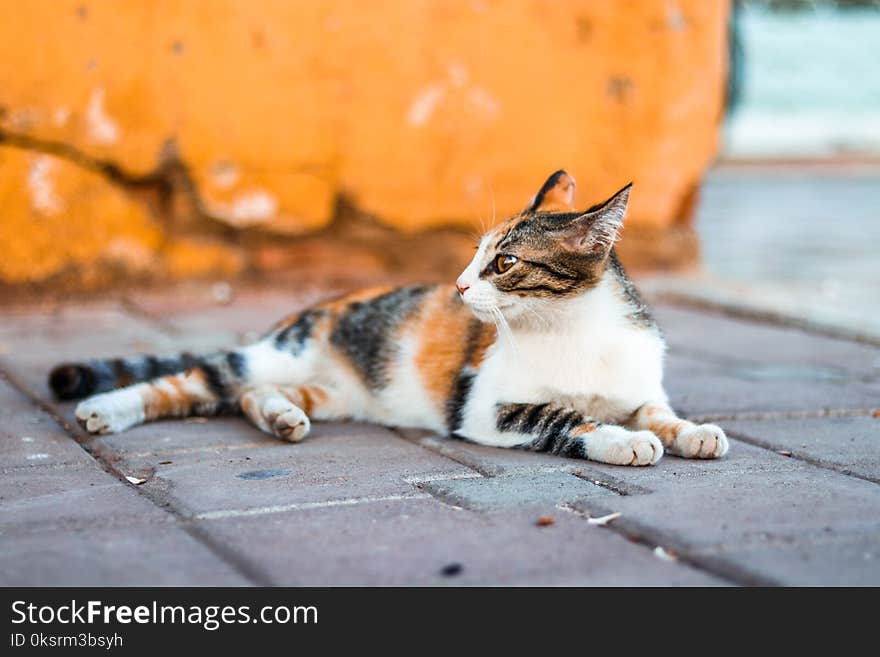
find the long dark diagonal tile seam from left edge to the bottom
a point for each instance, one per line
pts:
(242, 567)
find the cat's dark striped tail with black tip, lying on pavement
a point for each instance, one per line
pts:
(82, 379)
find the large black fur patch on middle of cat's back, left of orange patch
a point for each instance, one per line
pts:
(365, 331)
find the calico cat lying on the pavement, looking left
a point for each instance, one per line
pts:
(542, 344)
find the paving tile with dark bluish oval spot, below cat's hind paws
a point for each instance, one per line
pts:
(337, 461)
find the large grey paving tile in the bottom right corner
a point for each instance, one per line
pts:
(771, 514)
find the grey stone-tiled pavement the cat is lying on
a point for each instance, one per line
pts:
(796, 501)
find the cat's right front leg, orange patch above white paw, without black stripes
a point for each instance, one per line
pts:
(681, 437)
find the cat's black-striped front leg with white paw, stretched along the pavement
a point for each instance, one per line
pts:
(565, 431)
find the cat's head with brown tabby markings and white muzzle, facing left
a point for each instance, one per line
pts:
(548, 253)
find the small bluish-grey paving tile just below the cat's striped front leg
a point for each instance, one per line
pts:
(524, 490)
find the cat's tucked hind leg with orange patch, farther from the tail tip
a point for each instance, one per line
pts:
(284, 411)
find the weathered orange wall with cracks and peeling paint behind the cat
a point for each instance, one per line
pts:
(133, 132)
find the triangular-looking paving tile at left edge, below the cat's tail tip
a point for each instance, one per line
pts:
(30, 438)
